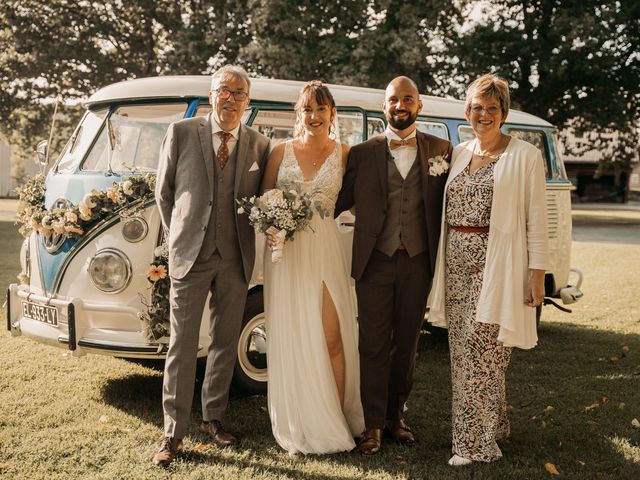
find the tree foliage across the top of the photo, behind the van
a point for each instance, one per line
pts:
(575, 63)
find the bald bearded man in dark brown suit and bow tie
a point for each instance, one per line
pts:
(398, 204)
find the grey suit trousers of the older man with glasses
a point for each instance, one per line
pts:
(226, 282)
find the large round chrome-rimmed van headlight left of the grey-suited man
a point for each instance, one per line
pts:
(110, 270)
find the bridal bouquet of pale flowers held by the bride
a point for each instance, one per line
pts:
(280, 213)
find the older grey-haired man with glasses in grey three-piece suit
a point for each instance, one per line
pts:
(206, 163)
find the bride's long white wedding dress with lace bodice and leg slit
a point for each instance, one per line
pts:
(304, 405)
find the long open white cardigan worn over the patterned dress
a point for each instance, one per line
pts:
(517, 243)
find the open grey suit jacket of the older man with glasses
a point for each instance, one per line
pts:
(184, 189)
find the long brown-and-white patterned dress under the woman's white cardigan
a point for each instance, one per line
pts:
(478, 361)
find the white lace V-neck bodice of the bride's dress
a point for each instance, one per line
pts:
(325, 184)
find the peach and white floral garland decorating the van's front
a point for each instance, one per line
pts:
(125, 198)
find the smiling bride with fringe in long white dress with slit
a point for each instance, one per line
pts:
(312, 337)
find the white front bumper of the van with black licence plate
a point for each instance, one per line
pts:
(64, 323)
